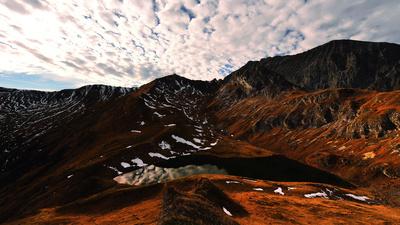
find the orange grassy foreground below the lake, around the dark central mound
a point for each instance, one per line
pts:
(123, 206)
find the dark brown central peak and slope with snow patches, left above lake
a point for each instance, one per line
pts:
(85, 150)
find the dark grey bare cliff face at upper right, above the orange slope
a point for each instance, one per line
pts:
(341, 64)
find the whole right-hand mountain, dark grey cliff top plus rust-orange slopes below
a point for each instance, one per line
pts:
(351, 132)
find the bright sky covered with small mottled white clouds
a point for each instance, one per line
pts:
(53, 45)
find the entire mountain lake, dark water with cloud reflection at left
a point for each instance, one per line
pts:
(275, 168)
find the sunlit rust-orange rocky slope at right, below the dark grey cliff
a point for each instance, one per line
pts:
(352, 132)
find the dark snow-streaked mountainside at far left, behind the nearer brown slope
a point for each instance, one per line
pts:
(27, 115)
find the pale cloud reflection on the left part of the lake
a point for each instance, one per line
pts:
(154, 174)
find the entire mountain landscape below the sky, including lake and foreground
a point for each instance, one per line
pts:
(280, 136)
